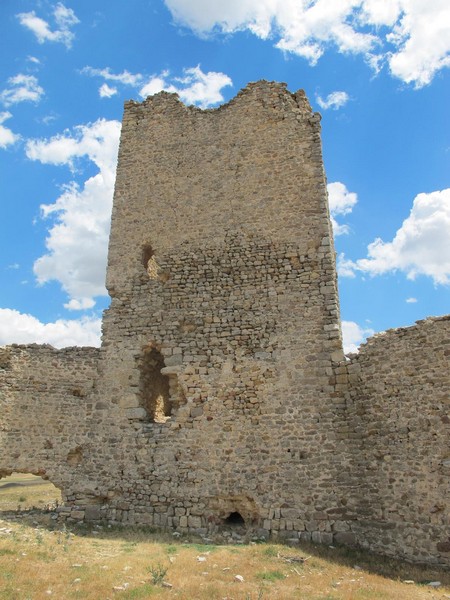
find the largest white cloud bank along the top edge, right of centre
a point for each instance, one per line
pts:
(412, 37)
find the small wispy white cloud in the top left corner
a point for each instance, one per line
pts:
(64, 19)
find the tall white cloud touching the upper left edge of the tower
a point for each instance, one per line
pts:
(80, 218)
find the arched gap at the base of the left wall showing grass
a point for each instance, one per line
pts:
(25, 491)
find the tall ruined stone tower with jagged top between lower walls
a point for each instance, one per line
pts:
(222, 277)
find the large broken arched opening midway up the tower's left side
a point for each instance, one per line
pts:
(154, 387)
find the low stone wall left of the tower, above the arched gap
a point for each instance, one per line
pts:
(45, 409)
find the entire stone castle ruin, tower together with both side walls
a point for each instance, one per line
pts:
(221, 394)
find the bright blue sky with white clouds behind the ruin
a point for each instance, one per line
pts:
(378, 71)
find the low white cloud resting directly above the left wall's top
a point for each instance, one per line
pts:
(20, 328)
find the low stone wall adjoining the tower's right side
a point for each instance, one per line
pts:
(400, 405)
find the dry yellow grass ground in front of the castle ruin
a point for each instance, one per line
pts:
(41, 559)
